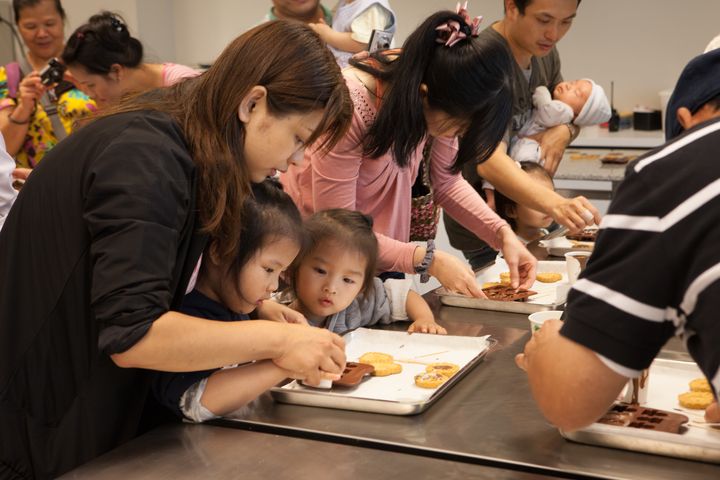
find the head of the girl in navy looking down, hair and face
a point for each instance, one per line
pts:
(271, 237)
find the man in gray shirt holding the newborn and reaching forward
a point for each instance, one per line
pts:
(530, 30)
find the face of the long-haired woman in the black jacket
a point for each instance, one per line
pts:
(273, 143)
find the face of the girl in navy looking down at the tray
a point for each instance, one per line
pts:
(258, 278)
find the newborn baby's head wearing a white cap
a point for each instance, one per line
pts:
(586, 98)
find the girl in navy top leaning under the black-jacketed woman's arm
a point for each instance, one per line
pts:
(272, 235)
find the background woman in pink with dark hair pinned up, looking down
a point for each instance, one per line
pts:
(106, 62)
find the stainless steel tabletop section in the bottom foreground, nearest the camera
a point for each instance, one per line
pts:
(179, 452)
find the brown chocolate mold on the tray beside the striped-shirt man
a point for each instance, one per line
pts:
(635, 416)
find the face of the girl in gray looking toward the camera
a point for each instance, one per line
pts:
(329, 279)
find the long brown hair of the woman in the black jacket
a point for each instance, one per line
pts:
(300, 76)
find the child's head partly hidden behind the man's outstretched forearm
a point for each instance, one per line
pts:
(522, 218)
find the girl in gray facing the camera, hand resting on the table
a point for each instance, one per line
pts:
(334, 284)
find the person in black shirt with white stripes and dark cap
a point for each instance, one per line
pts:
(654, 273)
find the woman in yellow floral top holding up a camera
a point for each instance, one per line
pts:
(28, 129)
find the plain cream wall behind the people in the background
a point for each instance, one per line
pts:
(640, 44)
